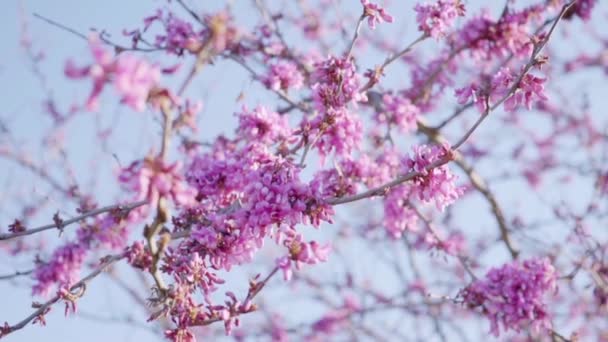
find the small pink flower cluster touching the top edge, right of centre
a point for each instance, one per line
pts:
(436, 19)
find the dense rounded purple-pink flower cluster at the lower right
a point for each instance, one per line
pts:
(512, 296)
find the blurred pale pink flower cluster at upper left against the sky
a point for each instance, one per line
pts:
(132, 76)
